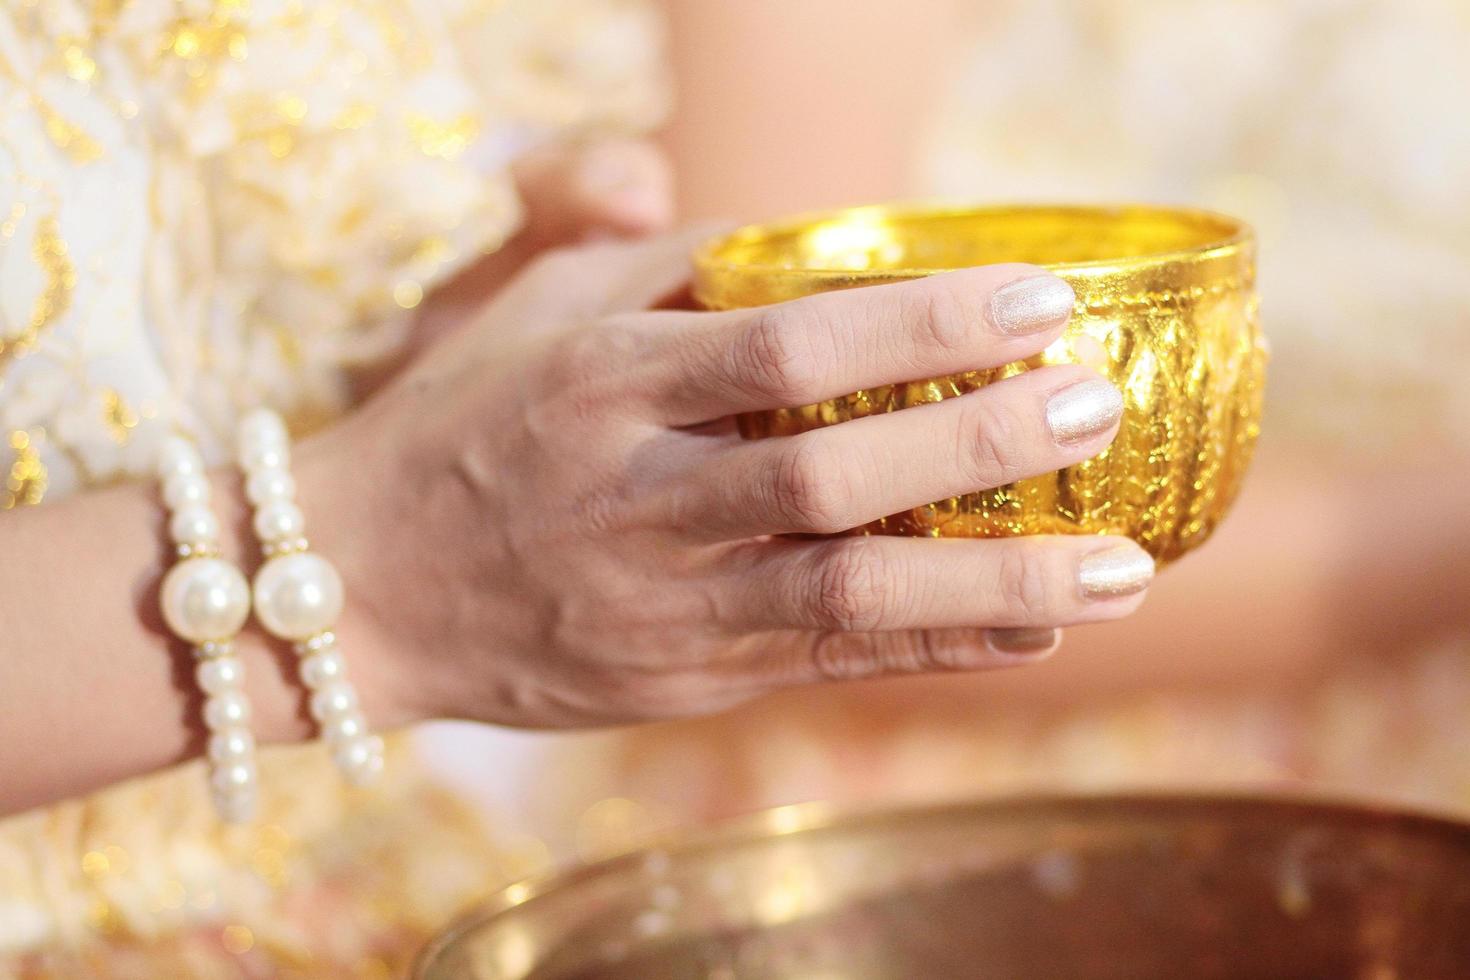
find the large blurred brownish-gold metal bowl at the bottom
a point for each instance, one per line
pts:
(1115, 888)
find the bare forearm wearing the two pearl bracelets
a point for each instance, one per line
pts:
(95, 688)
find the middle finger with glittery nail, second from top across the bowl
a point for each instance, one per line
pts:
(843, 477)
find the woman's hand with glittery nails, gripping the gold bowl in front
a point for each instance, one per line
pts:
(548, 519)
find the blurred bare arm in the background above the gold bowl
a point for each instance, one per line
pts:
(792, 107)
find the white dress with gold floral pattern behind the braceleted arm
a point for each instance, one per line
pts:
(211, 205)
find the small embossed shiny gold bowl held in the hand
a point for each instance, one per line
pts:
(1166, 309)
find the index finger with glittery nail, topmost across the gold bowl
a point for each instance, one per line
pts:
(837, 343)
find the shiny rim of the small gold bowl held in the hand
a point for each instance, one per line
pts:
(720, 278)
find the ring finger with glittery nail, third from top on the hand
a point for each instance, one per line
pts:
(903, 584)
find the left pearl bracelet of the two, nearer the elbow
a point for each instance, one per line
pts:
(205, 600)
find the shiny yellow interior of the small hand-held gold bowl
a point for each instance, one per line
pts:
(917, 242)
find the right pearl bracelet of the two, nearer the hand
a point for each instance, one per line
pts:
(299, 596)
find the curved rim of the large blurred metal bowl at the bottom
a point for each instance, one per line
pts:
(821, 818)
